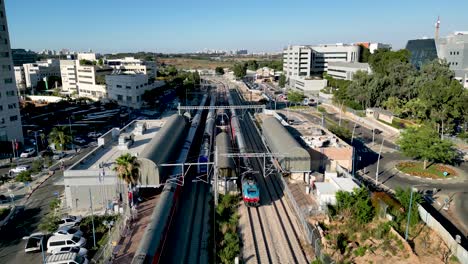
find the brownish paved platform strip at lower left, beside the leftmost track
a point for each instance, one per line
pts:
(129, 243)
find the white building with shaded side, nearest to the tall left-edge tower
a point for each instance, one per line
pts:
(35, 72)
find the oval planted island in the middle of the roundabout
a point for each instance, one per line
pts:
(433, 171)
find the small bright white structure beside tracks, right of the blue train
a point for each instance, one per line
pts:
(326, 191)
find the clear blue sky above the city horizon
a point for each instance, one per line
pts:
(257, 25)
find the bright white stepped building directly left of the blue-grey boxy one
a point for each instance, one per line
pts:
(91, 80)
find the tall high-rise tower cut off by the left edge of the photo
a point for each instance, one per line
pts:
(10, 118)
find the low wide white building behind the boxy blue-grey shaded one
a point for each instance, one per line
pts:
(132, 65)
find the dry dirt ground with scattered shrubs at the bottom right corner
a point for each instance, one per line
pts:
(366, 246)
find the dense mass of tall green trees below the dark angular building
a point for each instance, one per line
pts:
(430, 94)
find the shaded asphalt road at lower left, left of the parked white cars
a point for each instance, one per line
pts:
(11, 243)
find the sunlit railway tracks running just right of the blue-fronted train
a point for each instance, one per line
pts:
(281, 239)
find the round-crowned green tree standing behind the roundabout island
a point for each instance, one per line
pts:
(424, 143)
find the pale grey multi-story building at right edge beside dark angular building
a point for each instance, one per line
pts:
(454, 49)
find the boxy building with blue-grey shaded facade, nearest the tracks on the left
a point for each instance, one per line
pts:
(127, 88)
